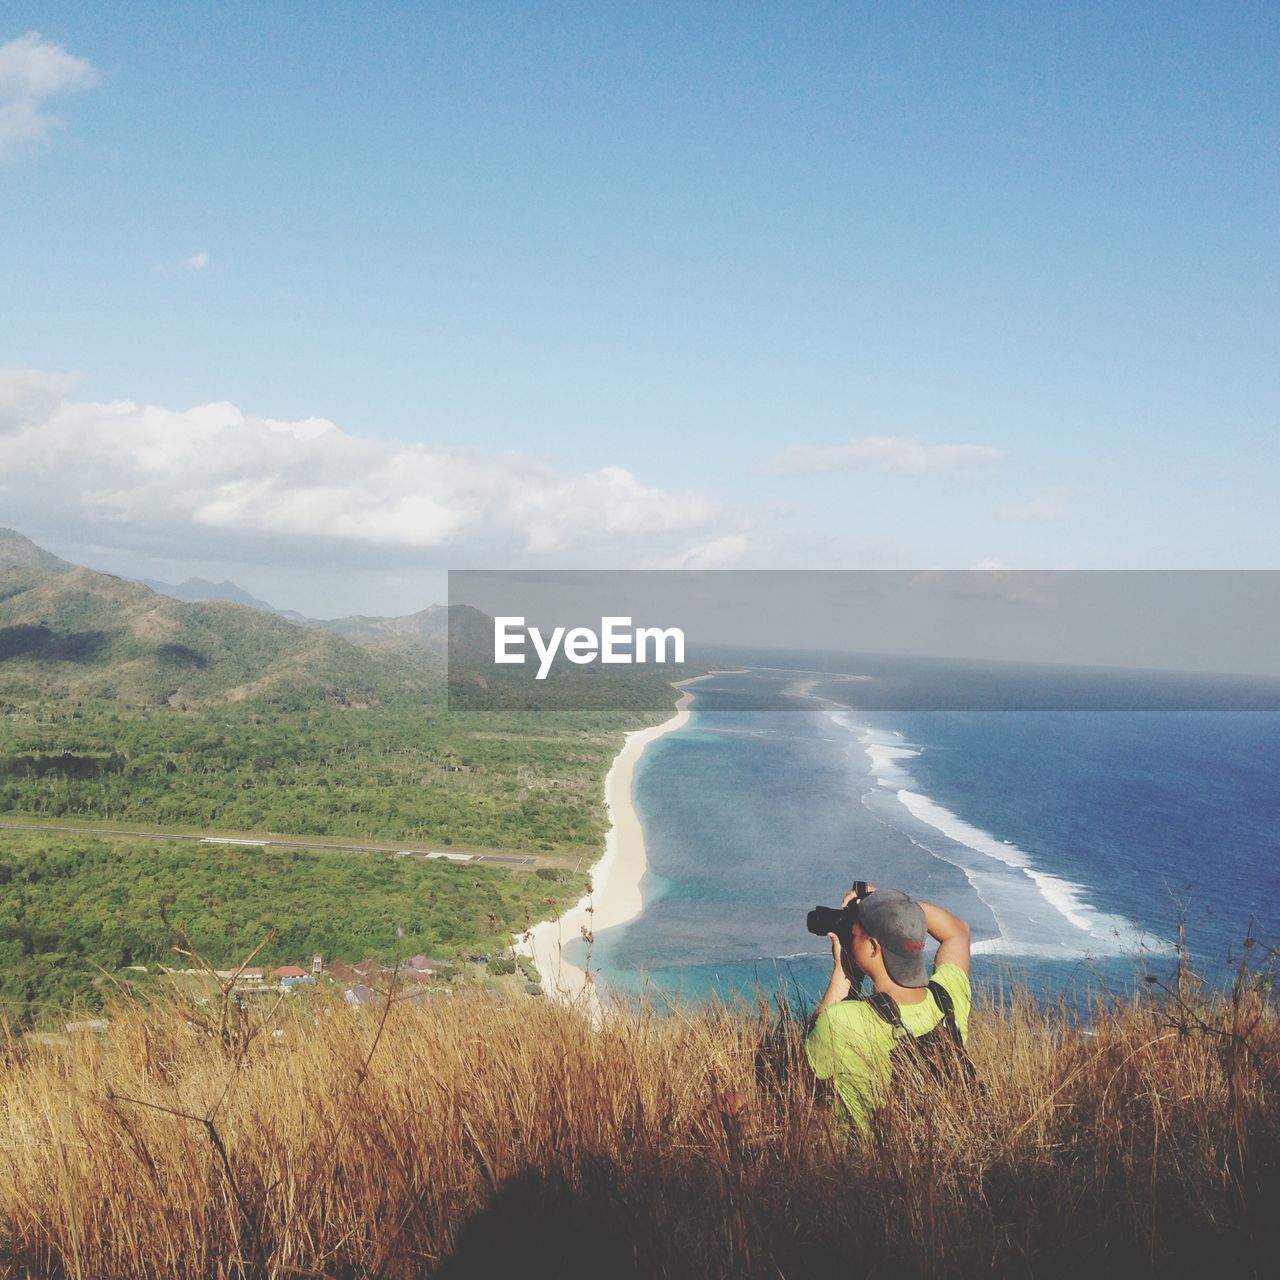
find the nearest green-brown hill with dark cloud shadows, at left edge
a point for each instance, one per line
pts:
(86, 637)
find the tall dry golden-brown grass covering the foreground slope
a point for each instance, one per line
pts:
(461, 1139)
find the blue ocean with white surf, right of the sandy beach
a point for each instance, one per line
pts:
(1081, 845)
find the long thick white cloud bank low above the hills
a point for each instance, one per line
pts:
(214, 481)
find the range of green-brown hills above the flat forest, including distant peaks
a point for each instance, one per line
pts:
(72, 633)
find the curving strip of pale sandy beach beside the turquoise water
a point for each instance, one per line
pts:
(616, 879)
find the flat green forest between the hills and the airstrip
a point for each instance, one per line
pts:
(395, 774)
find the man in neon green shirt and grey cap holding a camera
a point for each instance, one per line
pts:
(853, 1041)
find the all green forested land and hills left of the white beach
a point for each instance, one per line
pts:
(125, 707)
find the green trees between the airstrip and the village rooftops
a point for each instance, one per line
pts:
(72, 907)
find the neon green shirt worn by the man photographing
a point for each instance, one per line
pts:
(852, 1044)
